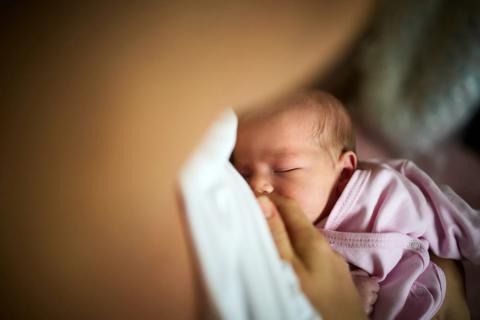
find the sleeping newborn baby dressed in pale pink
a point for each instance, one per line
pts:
(382, 217)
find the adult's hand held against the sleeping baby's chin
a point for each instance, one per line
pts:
(323, 274)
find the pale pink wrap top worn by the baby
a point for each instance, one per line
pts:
(387, 218)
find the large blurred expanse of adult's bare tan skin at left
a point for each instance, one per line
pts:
(100, 105)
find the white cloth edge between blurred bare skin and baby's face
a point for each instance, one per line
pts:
(244, 275)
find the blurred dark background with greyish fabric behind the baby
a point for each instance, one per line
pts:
(412, 84)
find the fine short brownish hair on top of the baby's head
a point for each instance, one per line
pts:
(333, 130)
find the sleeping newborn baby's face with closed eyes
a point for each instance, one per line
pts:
(280, 154)
